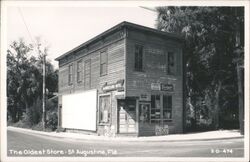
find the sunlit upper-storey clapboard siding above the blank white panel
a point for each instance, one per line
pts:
(115, 66)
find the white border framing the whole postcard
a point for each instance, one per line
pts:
(3, 97)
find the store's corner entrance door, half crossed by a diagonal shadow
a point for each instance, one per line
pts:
(127, 116)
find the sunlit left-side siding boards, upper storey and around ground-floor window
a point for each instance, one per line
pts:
(116, 71)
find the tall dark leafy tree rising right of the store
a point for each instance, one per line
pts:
(209, 51)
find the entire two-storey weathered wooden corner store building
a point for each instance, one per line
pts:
(126, 81)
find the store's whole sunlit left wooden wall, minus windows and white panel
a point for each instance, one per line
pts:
(114, 45)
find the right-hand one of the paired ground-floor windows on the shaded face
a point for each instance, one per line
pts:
(167, 107)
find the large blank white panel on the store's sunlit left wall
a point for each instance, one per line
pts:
(79, 110)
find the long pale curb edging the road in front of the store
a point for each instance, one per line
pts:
(121, 139)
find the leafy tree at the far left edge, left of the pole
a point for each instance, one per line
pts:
(17, 67)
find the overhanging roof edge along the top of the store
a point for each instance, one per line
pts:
(118, 27)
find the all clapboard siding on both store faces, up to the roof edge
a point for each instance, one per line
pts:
(119, 44)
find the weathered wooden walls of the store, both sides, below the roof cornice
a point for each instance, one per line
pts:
(120, 49)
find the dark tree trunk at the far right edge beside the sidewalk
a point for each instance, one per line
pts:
(241, 98)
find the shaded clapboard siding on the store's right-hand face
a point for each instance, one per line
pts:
(154, 71)
